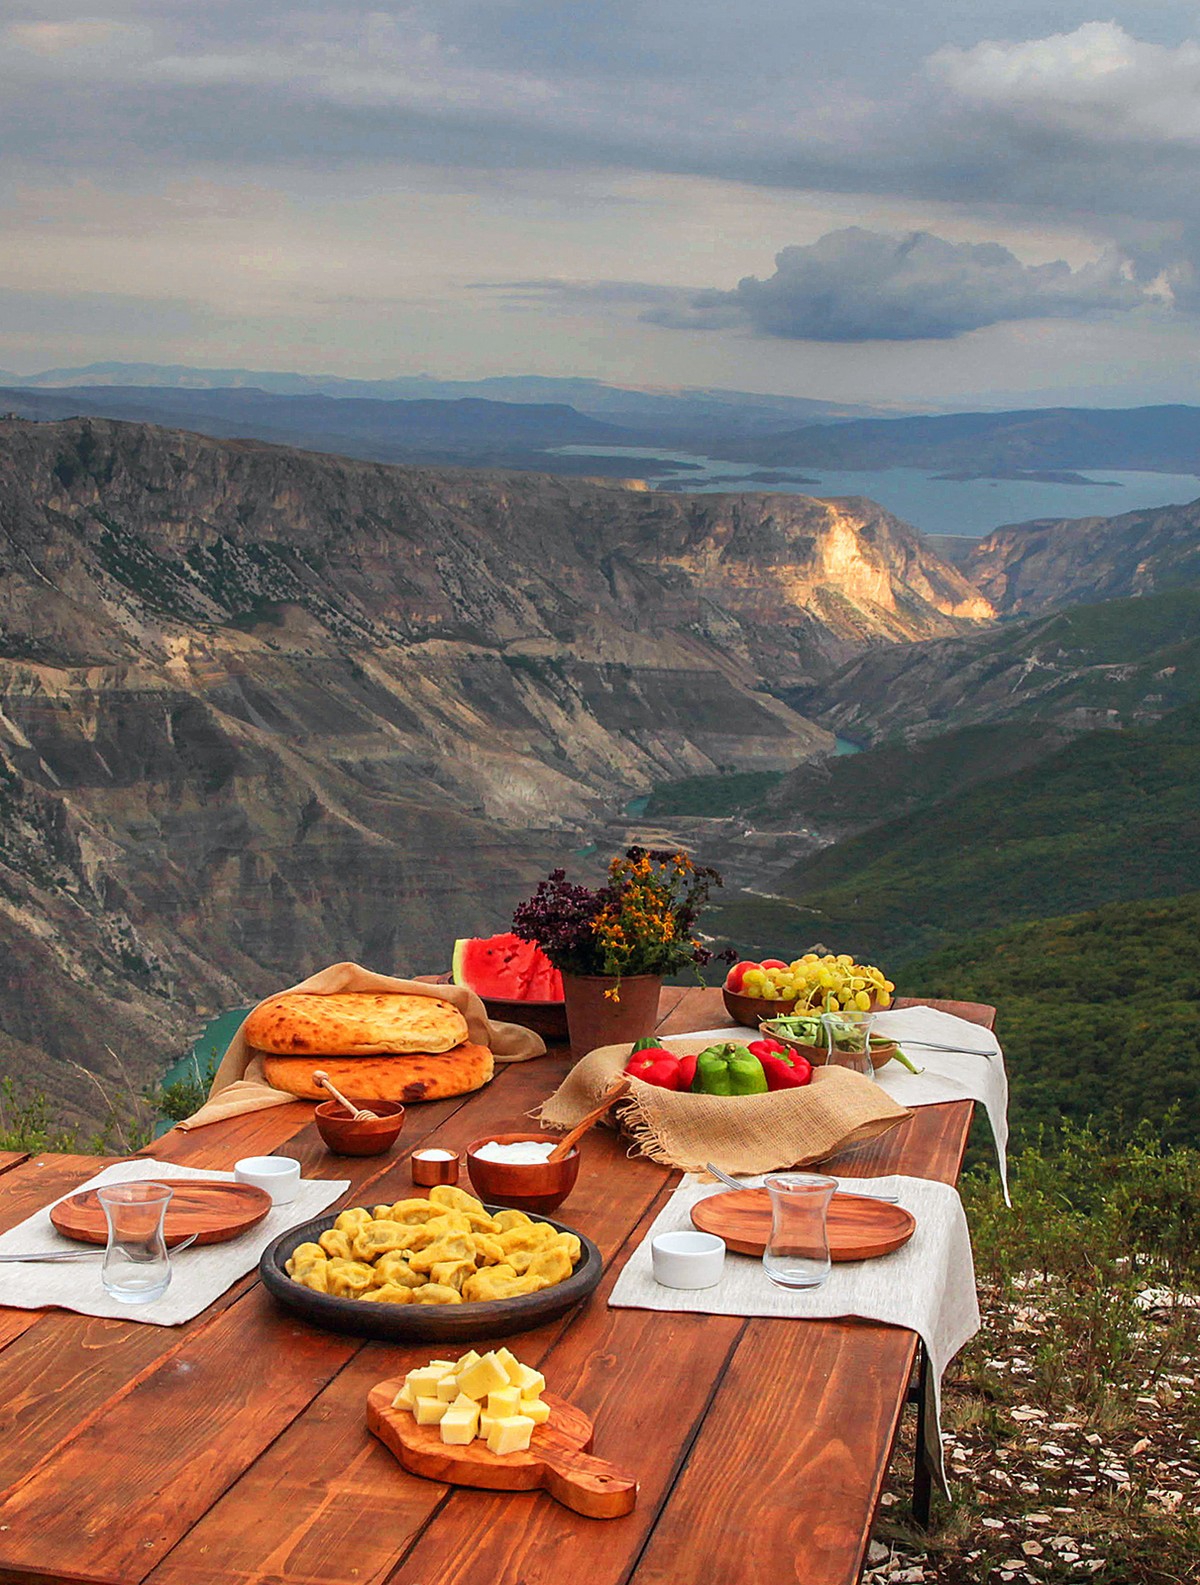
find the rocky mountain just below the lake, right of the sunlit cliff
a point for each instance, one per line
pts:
(1061, 562)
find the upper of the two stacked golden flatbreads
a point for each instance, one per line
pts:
(354, 1025)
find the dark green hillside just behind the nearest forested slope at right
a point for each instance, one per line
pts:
(1114, 815)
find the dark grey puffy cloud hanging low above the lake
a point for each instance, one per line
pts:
(868, 286)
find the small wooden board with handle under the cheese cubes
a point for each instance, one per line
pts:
(559, 1459)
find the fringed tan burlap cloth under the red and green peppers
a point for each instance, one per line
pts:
(739, 1134)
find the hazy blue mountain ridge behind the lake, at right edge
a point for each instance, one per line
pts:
(996, 445)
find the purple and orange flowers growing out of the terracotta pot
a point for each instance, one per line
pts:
(641, 923)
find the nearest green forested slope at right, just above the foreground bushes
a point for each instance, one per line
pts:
(1099, 1014)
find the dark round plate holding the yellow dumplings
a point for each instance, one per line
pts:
(426, 1323)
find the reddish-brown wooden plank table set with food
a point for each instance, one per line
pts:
(232, 1451)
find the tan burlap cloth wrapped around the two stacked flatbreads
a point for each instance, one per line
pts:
(240, 1085)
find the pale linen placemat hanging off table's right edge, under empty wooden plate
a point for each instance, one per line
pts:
(927, 1286)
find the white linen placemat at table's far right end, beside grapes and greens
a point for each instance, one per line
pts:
(947, 1075)
